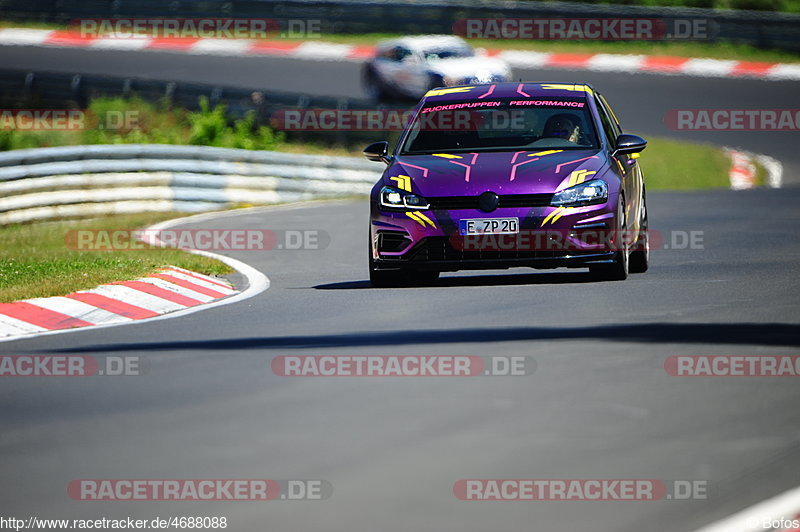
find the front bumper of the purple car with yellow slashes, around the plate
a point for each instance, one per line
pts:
(549, 237)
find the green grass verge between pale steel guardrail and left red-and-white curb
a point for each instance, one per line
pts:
(35, 260)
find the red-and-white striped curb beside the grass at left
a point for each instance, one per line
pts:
(168, 290)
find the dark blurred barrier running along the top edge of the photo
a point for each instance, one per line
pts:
(758, 28)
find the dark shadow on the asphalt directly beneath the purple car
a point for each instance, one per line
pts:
(481, 280)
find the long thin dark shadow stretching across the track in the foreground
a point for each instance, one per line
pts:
(773, 334)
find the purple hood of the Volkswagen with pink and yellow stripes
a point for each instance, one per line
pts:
(471, 174)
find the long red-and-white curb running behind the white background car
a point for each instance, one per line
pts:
(326, 51)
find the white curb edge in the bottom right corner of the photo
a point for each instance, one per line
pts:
(779, 514)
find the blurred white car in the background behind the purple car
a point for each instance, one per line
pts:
(409, 67)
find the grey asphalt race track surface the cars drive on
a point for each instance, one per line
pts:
(599, 405)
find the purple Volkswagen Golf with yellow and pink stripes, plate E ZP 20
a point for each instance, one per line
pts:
(508, 175)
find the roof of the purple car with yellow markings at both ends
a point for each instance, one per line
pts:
(521, 89)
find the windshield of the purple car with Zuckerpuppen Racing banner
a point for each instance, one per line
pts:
(501, 124)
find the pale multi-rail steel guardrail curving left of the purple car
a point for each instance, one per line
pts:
(81, 181)
